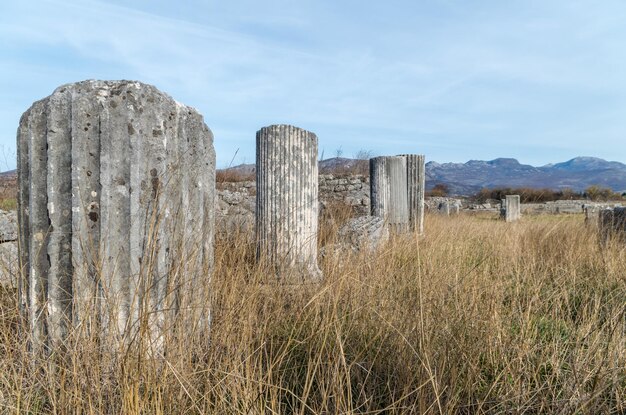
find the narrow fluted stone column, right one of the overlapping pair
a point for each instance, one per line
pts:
(416, 183)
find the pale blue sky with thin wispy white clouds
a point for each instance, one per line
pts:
(541, 81)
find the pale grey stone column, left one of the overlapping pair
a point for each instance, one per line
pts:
(389, 191)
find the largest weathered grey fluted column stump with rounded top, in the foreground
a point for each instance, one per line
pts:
(116, 186)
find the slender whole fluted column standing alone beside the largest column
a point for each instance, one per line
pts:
(287, 200)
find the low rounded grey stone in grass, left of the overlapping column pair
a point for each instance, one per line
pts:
(365, 232)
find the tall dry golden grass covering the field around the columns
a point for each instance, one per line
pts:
(478, 317)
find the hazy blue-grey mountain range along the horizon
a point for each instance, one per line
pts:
(468, 178)
